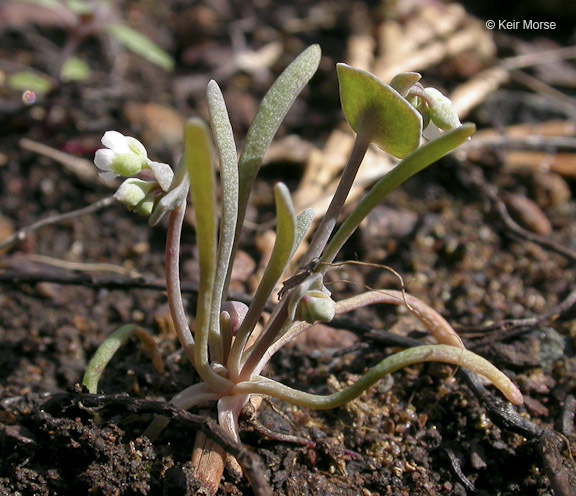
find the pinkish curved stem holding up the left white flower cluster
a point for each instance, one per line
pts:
(173, 281)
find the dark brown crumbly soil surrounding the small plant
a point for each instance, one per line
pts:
(421, 432)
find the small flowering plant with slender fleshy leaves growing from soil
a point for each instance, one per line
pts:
(224, 347)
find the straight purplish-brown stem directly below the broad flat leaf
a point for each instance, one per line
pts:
(329, 220)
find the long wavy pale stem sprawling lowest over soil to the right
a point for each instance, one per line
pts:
(430, 353)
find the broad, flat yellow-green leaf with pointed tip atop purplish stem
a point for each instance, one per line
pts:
(379, 111)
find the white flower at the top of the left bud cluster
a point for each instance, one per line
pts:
(123, 156)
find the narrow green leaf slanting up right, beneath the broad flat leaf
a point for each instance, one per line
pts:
(414, 163)
